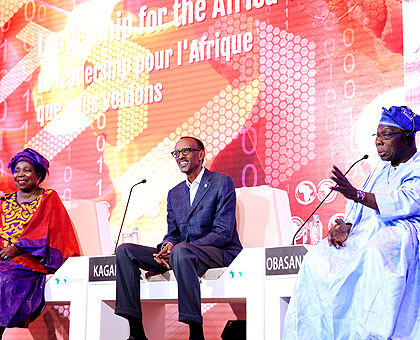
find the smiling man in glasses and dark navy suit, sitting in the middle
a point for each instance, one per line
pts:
(201, 235)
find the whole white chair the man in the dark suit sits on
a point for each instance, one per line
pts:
(264, 220)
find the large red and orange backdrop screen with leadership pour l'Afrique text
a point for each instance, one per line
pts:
(278, 91)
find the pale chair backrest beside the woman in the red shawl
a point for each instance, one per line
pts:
(90, 221)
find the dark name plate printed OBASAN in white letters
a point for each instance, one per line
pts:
(284, 260)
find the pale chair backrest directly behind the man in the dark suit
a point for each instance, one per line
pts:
(263, 217)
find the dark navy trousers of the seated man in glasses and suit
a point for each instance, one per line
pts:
(186, 260)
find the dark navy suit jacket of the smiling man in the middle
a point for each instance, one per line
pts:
(210, 220)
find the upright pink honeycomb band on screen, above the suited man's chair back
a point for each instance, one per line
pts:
(286, 101)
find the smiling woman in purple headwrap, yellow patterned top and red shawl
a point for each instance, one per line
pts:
(36, 237)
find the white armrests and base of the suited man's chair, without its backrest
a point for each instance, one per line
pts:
(242, 281)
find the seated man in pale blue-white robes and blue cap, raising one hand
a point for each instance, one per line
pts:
(363, 281)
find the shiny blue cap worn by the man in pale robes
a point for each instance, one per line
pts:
(401, 117)
